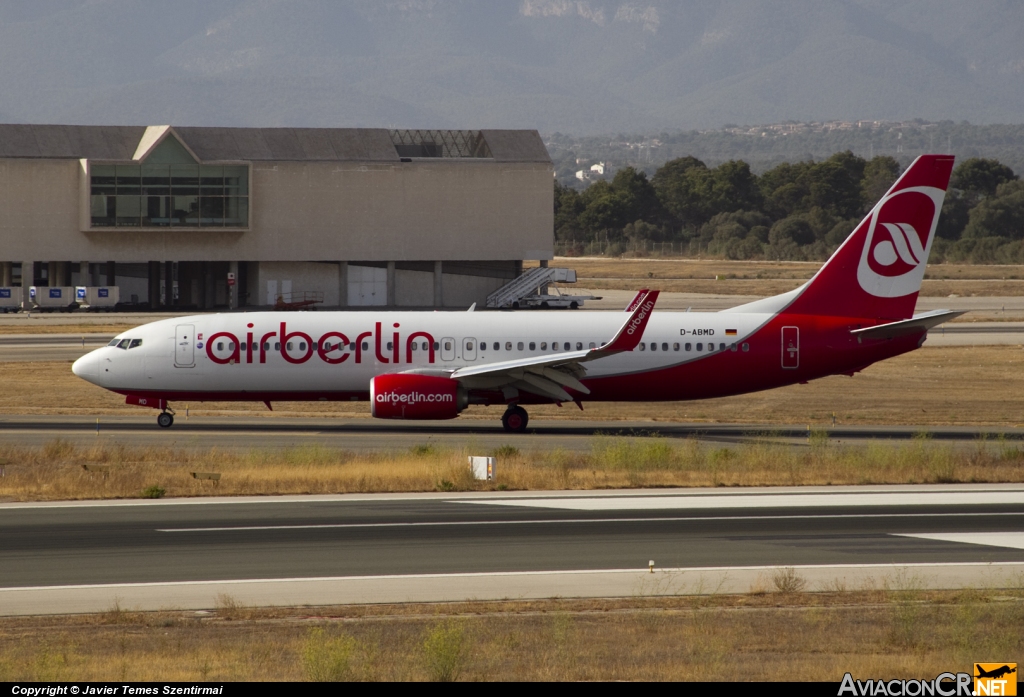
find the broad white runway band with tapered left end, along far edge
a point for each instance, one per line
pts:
(764, 502)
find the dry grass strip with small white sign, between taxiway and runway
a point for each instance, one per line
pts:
(63, 471)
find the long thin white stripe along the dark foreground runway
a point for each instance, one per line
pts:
(703, 519)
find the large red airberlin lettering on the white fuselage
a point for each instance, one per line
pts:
(300, 347)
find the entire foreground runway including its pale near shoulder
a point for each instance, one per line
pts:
(78, 557)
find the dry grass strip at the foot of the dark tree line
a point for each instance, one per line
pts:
(765, 279)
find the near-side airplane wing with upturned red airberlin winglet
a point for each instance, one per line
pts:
(549, 375)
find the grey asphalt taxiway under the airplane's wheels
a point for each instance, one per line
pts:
(485, 435)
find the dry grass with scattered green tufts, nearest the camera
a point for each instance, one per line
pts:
(777, 633)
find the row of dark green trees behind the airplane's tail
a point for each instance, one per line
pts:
(795, 211)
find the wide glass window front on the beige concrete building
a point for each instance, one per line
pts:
(169, 196)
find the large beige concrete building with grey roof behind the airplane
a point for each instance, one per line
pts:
(207, 219)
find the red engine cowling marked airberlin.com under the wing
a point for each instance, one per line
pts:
(415, 397)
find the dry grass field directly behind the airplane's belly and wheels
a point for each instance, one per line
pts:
(972, 386)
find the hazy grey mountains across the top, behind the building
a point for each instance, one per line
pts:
(583, 67)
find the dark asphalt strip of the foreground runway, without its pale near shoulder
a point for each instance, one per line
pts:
(87, 545)
